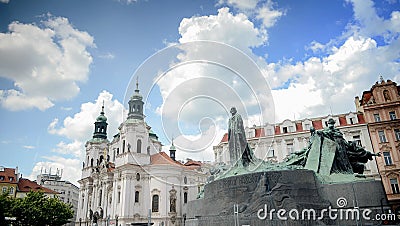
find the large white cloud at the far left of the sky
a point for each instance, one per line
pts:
(45, 62)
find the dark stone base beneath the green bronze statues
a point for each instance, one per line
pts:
(287, 197)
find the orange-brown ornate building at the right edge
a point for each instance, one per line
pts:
(381, 107)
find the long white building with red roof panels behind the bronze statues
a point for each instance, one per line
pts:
(275, 142)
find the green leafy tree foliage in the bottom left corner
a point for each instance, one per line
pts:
(37, 209)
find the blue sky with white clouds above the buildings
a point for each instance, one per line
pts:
(274, 60)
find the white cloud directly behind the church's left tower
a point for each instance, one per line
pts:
(79, 129)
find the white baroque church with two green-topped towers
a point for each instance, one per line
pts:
(130, 181)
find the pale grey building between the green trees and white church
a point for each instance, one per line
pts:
(67, 192)
